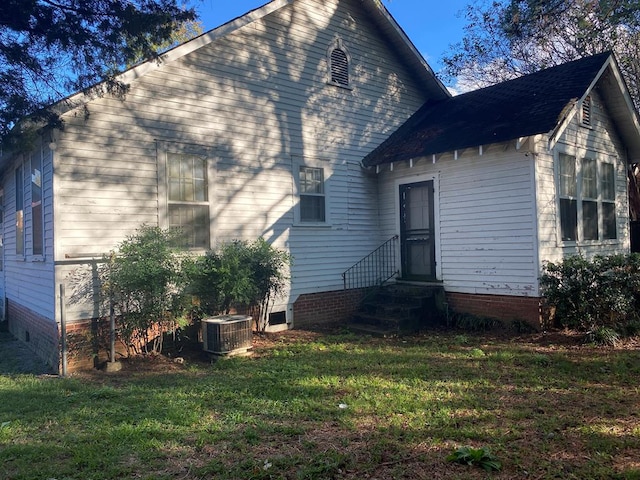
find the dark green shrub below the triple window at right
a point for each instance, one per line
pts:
(590, 294)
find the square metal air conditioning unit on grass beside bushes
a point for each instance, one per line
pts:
(227, 334)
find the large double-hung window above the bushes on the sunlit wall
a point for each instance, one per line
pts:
(188, 202)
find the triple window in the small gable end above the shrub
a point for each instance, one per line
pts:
(587, 199)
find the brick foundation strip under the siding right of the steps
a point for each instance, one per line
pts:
(502, 307)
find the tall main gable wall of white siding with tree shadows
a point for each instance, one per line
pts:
(256, 104)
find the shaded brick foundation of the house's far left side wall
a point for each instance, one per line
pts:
(38, 333)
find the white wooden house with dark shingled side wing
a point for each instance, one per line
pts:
(317, 125)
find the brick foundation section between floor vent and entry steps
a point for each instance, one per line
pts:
(326, 307)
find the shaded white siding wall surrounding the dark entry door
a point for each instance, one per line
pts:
(485, 223)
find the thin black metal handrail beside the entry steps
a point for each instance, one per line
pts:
(374, 269)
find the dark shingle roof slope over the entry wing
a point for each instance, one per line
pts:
(516, 108)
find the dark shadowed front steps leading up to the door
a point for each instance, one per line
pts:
(401, 307)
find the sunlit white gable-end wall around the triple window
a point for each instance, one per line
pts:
(599, 141)
